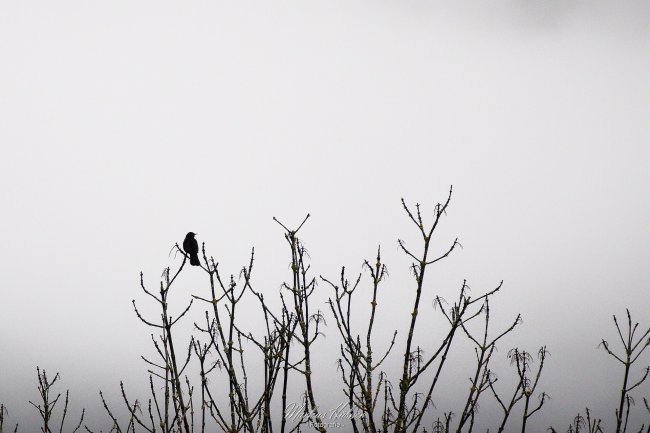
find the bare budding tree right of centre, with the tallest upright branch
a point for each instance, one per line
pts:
(373, 403)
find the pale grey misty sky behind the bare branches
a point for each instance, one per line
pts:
(126, 124)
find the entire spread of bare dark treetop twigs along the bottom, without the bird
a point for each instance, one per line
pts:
(221, 396)
